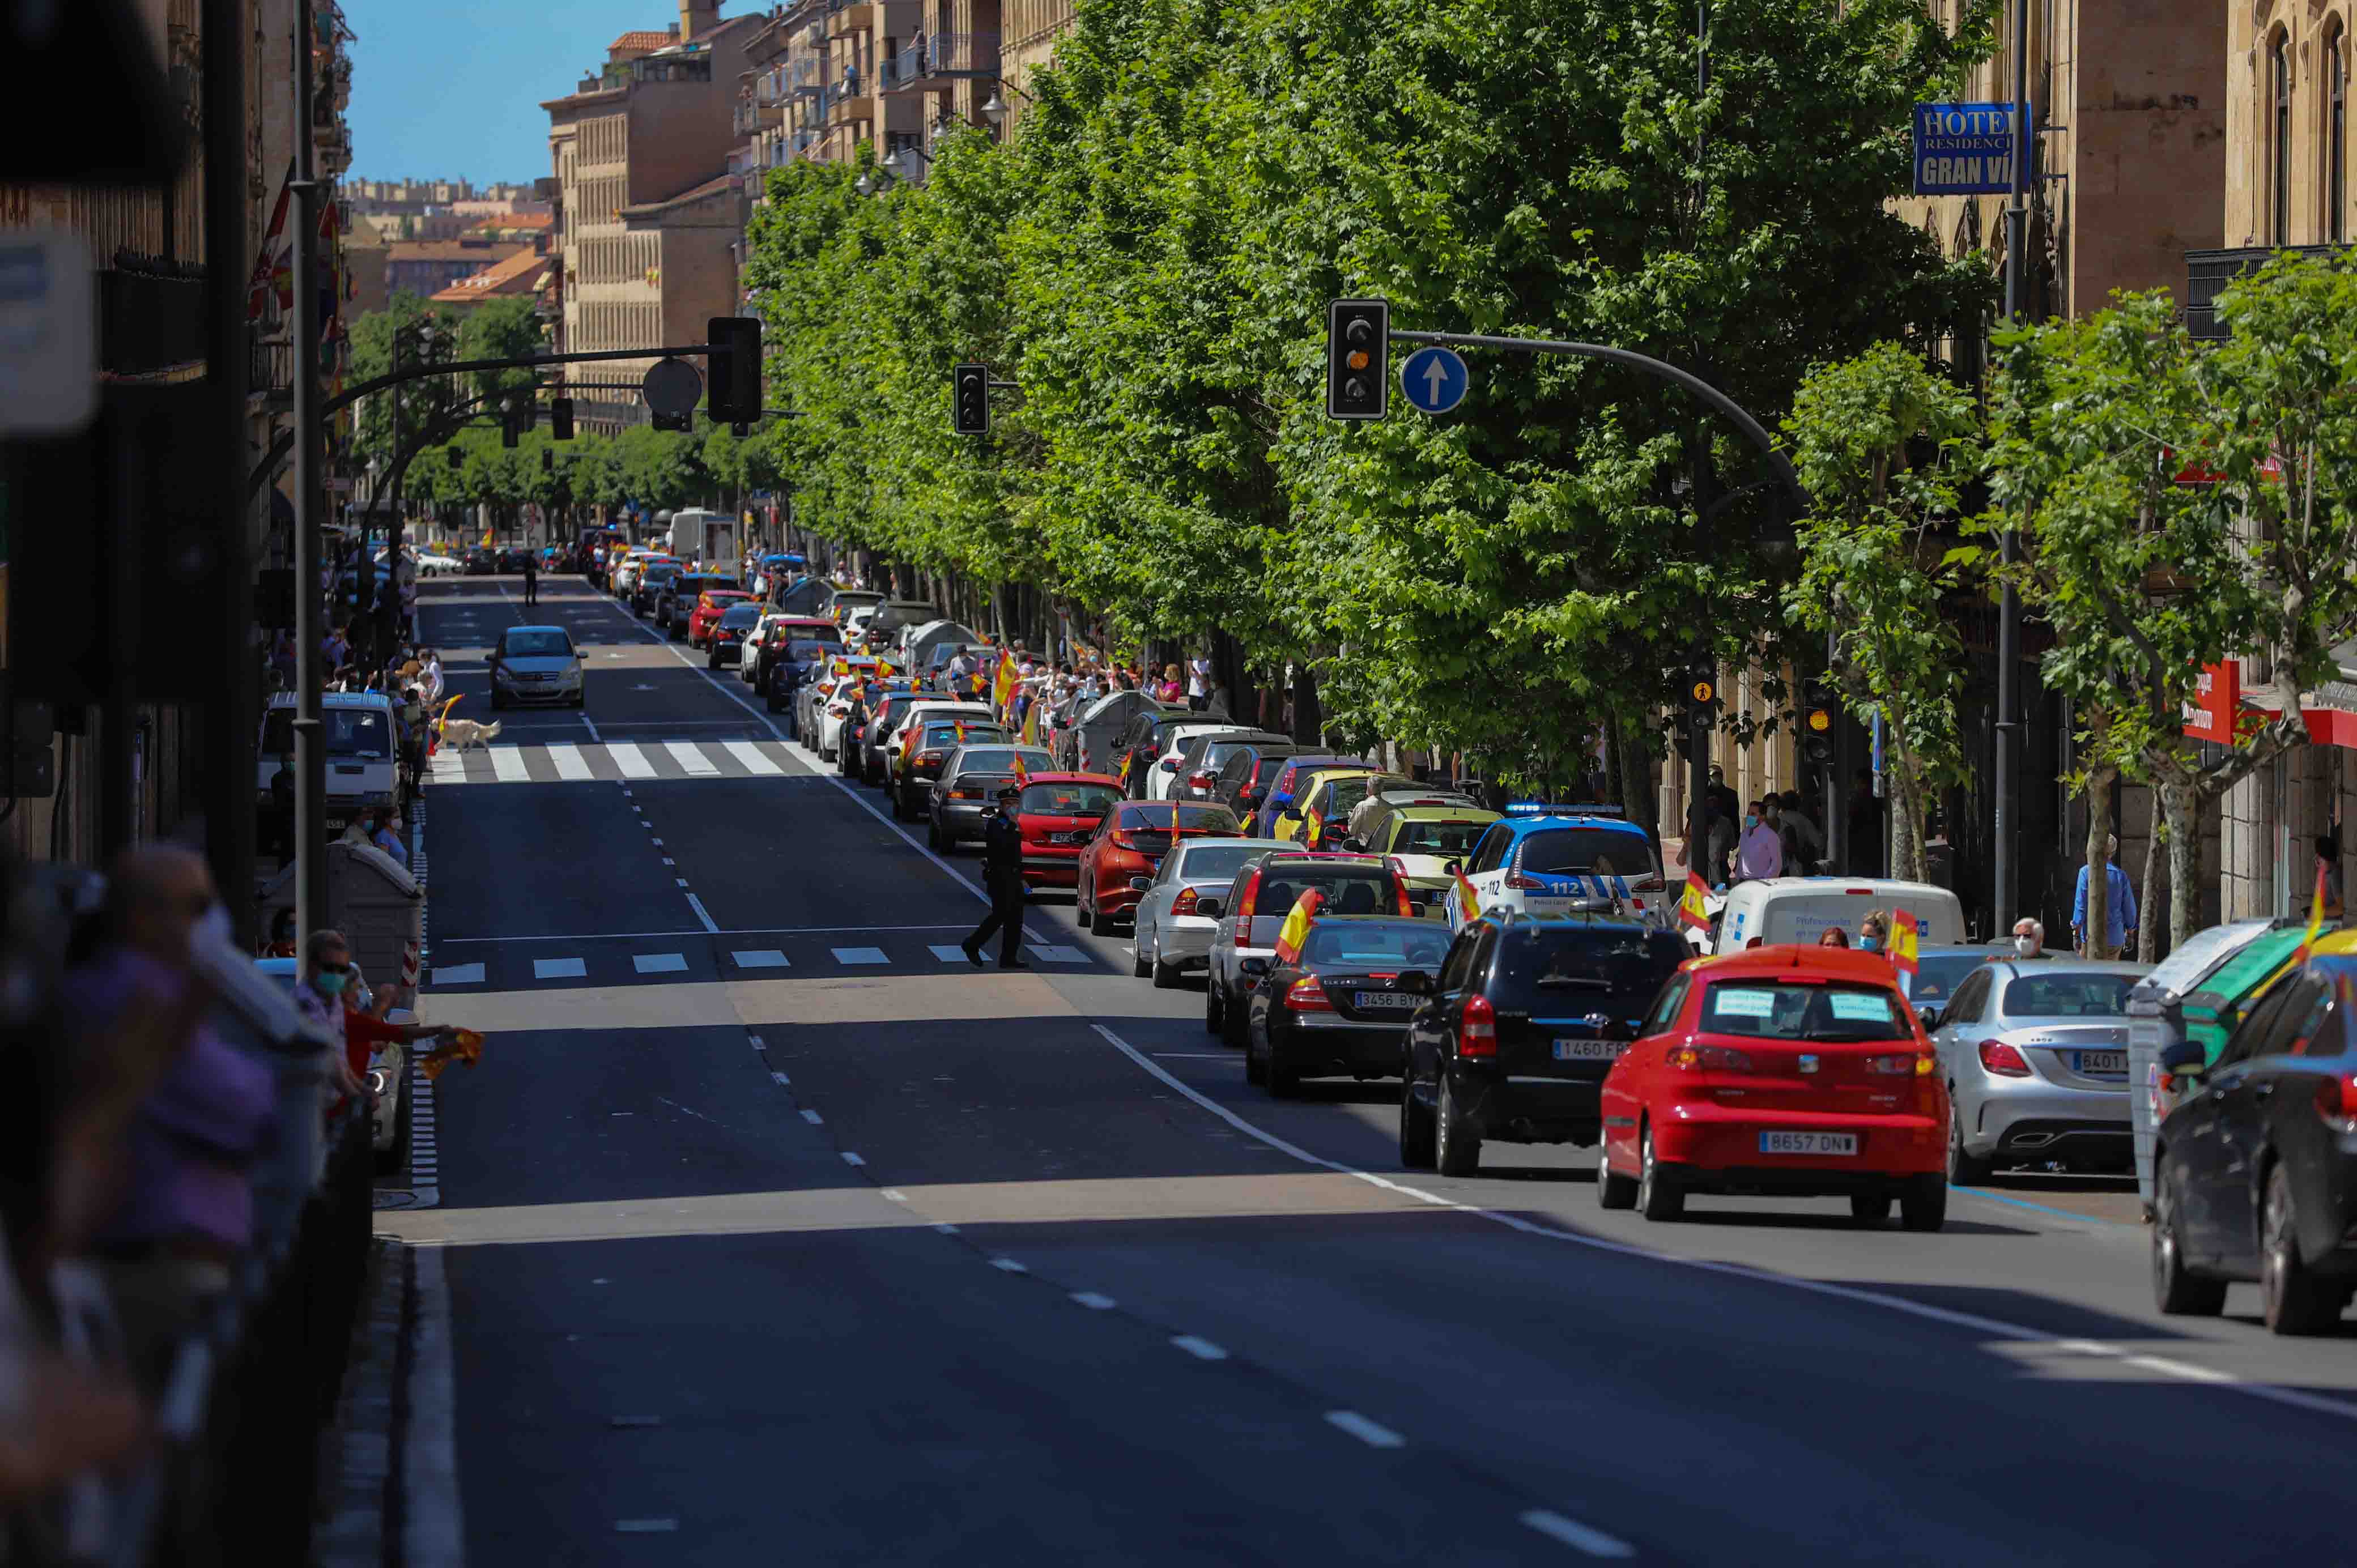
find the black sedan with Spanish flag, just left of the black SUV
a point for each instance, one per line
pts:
(1342, 1008)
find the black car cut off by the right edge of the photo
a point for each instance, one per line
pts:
(2254, 1175)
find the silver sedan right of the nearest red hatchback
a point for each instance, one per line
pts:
(2035, 1055)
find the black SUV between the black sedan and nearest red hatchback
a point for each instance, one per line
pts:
(1521, 1029)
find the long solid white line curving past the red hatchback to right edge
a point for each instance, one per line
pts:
(1821, 1289)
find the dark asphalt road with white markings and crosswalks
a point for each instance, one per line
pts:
(774, 1232)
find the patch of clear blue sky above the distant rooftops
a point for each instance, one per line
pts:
(451, 88)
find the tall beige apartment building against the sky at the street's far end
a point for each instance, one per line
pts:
(647, 206)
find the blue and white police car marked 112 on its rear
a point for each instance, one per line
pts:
(1562, 859)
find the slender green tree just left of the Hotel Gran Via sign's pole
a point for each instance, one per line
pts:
(1884, 449)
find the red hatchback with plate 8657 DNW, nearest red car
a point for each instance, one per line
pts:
(1795, 1072)
